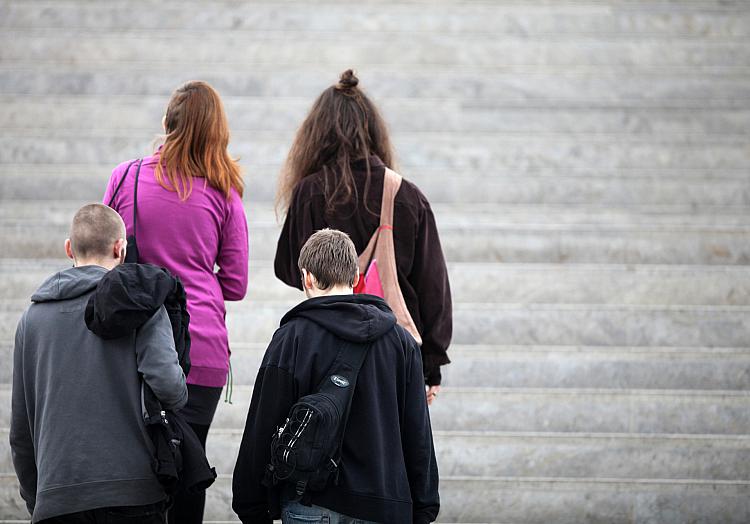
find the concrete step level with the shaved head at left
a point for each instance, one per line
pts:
(533, 234)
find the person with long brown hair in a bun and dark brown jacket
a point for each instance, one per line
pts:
(333, 178)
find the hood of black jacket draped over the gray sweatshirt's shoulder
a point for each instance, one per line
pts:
(126, 297)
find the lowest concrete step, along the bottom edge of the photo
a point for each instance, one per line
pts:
(537, 501)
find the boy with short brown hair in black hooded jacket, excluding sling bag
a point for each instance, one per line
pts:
(388, 471)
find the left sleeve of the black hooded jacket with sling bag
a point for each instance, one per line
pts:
(273, 395)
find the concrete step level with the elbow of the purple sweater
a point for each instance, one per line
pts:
(495, 283)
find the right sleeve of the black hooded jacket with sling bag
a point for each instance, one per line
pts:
(419, 453)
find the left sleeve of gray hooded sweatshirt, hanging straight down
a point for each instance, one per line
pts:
(21, 441)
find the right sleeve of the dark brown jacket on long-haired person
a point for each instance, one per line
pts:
(429, 276)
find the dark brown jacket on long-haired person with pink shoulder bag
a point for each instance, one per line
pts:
(422, 273)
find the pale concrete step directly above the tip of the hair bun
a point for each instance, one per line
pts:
(288, 50)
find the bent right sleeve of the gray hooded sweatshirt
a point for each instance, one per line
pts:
(157, 361)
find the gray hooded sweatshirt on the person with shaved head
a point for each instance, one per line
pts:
(77, 434)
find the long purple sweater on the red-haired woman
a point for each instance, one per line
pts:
(191, 238)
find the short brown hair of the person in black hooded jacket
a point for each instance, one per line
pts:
(330, 256)
